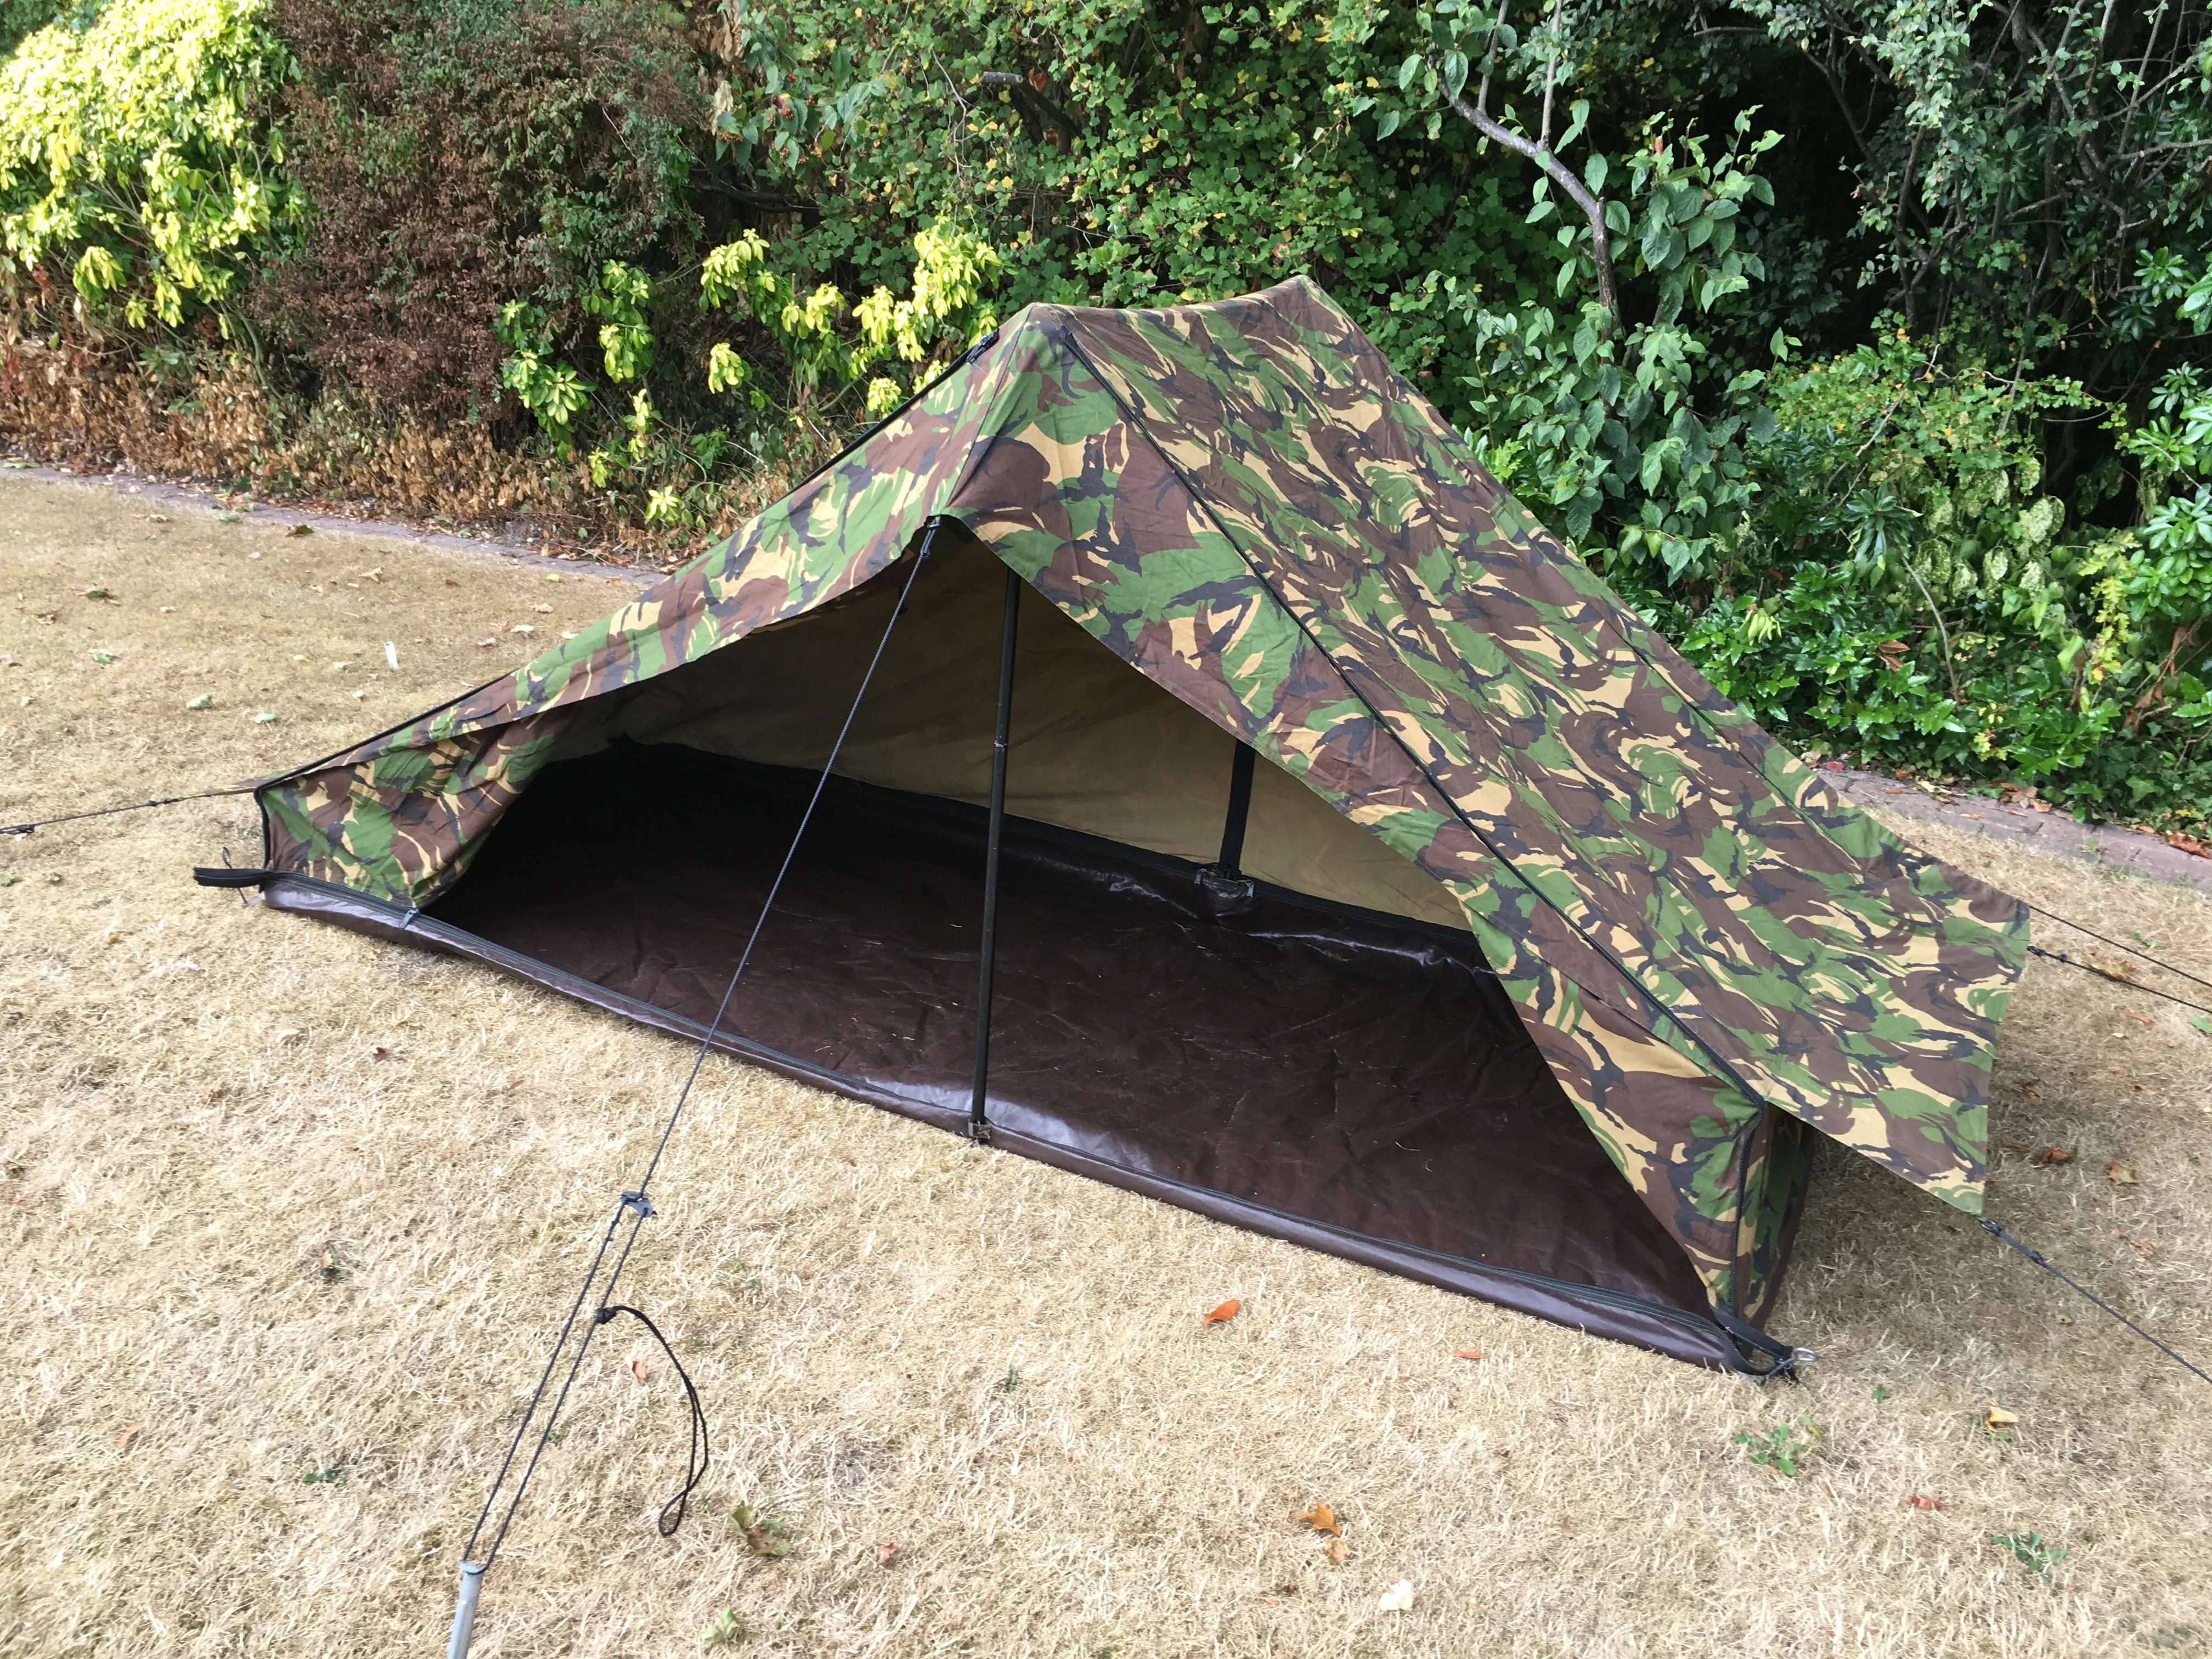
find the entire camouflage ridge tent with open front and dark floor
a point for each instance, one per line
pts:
(1525, 954)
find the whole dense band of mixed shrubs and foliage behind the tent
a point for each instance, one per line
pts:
(1861, 346)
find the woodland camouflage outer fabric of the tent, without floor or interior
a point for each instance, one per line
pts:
(1253, 510)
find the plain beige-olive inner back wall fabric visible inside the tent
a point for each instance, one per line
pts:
(1096, 747)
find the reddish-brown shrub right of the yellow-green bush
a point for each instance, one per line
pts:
(466, 154)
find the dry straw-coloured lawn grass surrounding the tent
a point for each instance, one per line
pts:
(231, 1224)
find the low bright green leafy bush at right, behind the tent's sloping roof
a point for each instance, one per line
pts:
(1912, 594)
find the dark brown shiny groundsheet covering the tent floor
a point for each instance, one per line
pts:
(1300, 1058)
